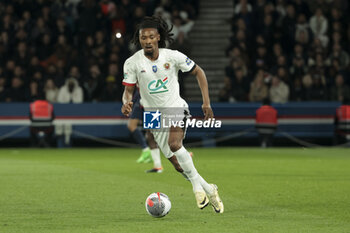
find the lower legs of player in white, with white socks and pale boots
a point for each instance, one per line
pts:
(200, 187)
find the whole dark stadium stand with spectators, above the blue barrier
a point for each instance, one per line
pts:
(298, 48)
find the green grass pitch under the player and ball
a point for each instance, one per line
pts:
(104, 190)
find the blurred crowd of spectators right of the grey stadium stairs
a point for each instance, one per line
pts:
(289, 51)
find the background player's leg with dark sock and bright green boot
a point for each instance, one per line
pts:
(139, 137)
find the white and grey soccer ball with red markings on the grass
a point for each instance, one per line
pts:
(158, 205)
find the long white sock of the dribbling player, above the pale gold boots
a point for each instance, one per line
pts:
(186, 163)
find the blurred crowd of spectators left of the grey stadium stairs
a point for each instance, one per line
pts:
(72, 51)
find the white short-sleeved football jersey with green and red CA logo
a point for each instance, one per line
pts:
(158, 80)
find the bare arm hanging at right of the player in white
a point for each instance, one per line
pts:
(203, 85)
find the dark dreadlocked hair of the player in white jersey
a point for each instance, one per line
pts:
(157, 23)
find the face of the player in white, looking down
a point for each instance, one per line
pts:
(149, 38)
